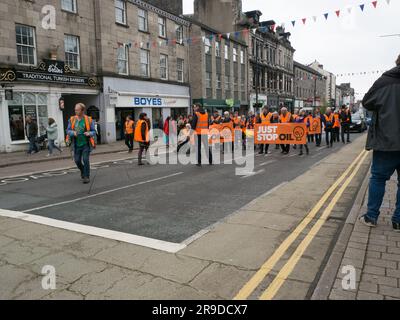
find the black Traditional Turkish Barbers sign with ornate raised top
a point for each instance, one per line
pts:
(48, 71)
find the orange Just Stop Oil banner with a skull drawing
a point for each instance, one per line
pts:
(280, 133)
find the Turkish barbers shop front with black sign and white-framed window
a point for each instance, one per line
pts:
(37, 93)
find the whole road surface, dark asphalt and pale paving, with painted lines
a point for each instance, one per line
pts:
(195, 233)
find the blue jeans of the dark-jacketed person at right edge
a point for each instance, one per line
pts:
(384, 164)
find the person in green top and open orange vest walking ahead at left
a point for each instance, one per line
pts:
(80, 135)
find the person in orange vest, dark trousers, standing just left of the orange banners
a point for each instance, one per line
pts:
(200, 125)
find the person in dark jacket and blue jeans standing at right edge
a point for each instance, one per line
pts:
(383, 100)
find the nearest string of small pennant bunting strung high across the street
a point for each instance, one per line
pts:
(236, 34)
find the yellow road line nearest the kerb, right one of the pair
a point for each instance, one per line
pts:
(287, 269)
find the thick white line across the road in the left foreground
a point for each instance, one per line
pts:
(98, 232)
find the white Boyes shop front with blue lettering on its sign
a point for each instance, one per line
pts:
(125, 97)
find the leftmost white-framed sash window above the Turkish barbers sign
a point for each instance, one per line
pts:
(26, 44)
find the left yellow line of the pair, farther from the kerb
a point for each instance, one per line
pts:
(254, 282)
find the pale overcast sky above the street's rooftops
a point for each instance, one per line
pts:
(348, 44)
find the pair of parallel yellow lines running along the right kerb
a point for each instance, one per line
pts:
(267, 267)
